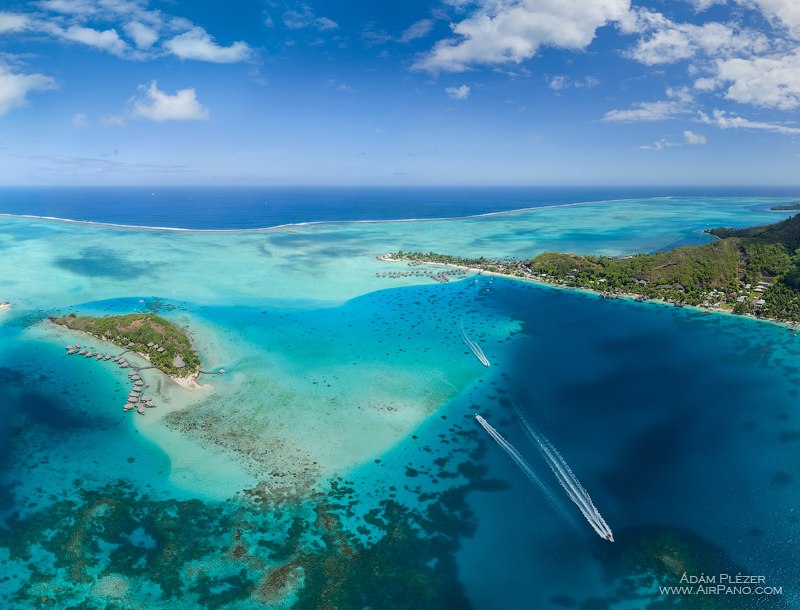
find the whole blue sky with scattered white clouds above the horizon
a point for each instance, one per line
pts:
(412, 92)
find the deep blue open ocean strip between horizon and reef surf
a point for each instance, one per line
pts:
(259, 207)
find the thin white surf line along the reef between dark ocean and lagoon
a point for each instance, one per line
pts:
(289, 225)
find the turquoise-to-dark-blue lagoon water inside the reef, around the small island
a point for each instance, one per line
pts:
(338, 463)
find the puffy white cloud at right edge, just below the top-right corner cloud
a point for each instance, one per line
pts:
(763, 81)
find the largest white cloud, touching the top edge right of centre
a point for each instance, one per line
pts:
(500, 32)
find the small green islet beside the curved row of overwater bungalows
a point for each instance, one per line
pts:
(164, 344)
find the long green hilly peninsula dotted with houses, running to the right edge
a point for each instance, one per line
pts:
(753, 271)
